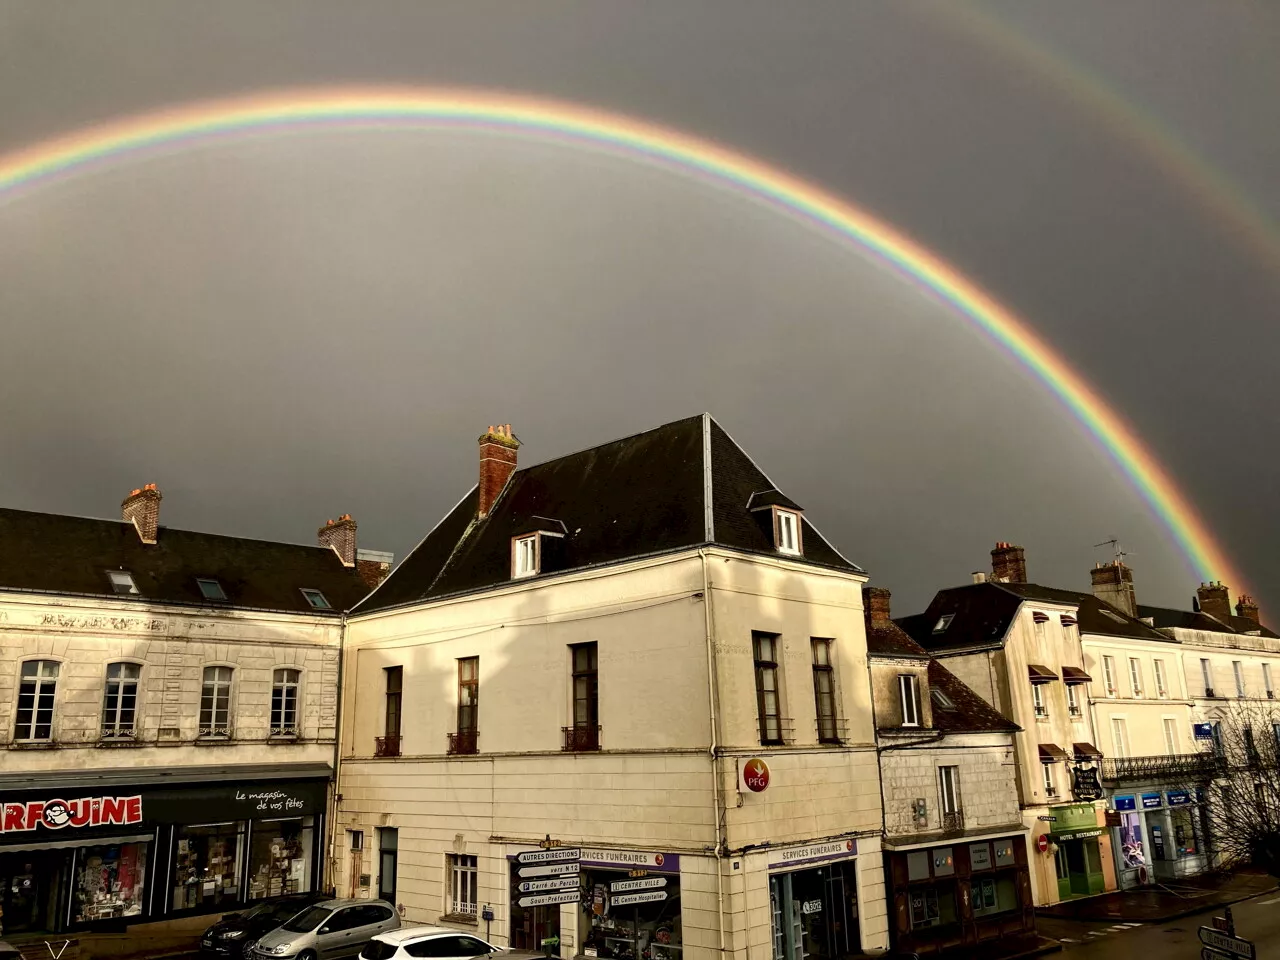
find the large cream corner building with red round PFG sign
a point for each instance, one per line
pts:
(620, 702)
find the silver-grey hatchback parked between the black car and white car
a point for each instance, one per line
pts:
(327, 931)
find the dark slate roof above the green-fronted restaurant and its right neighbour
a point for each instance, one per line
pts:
(982, 615)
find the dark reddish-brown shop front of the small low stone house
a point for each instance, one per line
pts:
(961, 894)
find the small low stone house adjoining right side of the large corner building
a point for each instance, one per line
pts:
(956, 843)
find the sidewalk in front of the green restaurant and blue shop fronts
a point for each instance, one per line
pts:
(1169, 902)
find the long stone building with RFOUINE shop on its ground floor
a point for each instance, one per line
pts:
(168, 715)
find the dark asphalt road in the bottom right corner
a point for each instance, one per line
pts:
(1256, 920)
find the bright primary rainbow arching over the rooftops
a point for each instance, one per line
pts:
(394, 107)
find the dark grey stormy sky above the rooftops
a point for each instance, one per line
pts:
(282, 330)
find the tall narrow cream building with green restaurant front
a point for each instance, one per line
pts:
(1018, 647)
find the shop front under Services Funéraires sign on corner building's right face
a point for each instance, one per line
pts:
(813, 899)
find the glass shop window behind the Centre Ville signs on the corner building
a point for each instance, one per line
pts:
(633, 918)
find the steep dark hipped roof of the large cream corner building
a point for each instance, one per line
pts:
(629, 499)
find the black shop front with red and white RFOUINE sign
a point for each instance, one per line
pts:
(75, 857)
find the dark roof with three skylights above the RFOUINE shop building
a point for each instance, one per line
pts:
(48, 552)
